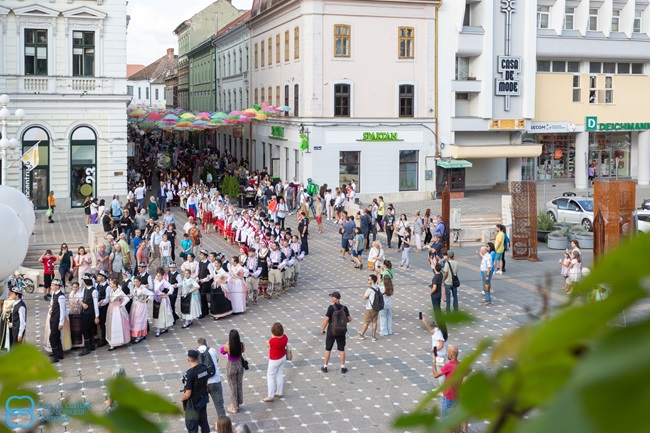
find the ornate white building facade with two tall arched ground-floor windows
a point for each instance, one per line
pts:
(65, 65)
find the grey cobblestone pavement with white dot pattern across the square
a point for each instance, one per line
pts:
(386, 378)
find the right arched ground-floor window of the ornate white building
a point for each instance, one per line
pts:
(83, 165)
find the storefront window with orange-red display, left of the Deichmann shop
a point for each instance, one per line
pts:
(557, 160)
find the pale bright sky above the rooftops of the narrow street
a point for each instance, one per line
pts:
(152, 24)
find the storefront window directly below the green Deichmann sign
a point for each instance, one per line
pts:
(609, 154)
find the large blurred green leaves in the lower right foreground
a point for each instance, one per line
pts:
(575, 370)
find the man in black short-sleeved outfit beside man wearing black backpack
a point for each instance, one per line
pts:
(195, 395)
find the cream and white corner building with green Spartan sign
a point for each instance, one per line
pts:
(359, 77)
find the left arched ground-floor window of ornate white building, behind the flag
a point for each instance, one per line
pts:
(36, 183)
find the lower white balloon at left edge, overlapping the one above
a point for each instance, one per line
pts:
(14, 240)
